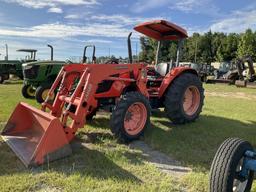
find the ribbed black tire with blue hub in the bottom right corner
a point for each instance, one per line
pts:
(224, 166)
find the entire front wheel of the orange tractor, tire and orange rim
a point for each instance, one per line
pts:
(130, 117)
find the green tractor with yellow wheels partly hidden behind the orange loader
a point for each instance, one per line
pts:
(39, 76)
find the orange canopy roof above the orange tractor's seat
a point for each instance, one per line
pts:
(161, 30)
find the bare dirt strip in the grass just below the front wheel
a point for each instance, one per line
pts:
(160, 160)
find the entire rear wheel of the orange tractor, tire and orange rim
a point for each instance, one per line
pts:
(184, 99)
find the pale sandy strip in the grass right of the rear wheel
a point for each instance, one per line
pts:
(238, 95)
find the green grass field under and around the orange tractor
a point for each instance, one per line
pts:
(101, 164)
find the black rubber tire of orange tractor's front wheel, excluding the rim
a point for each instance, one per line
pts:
(118, 116)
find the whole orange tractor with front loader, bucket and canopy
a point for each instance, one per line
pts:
(128, 91)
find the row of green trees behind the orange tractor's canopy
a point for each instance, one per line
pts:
(205, 48)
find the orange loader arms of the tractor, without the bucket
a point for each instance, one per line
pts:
(84, 96)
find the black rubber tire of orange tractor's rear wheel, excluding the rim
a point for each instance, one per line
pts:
(174, 98)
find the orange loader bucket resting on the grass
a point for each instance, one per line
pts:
(35, 136)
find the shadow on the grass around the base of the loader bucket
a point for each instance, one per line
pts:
(85, 161)
